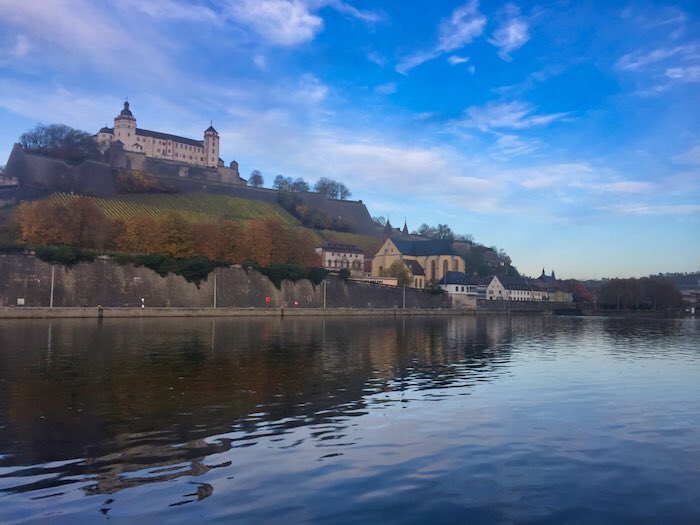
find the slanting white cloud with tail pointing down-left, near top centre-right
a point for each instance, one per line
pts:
(464, 25)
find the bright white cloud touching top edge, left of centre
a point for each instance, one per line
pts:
(281, 22)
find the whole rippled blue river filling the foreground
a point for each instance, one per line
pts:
(418, 420)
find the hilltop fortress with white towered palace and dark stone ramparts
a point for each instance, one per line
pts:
(136, 160)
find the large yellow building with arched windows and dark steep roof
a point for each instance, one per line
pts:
(435, 258)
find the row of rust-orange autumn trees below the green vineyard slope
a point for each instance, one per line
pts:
(81, 224)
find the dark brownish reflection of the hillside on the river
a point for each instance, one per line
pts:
(122, 394)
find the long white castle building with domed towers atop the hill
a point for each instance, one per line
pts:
(158, 145)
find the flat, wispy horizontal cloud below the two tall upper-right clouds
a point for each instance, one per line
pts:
(508, 115)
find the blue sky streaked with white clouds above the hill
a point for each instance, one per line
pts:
(566, 133)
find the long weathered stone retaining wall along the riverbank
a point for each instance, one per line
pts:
(108, 284)
